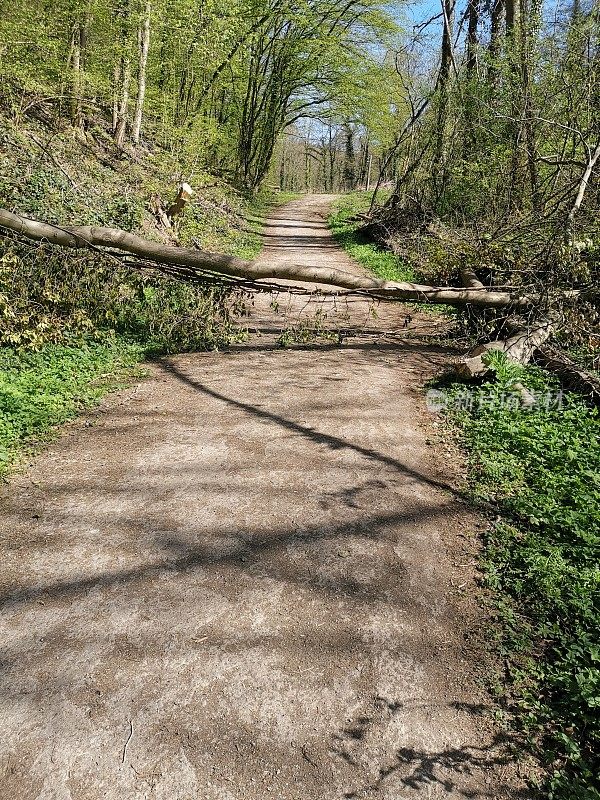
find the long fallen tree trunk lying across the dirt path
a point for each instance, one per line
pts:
(121, 242)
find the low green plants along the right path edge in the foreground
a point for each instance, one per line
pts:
(540, 470)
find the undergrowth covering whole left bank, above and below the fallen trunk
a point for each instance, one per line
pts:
(71, 321)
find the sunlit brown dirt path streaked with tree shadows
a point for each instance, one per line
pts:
(245, 578)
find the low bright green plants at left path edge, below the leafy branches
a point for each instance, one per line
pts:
(39, 390)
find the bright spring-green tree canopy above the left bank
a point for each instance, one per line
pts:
(220, 85)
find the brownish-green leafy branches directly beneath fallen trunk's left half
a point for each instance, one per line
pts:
(48, 295)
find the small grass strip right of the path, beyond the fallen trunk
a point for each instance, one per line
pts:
(346, 232)
